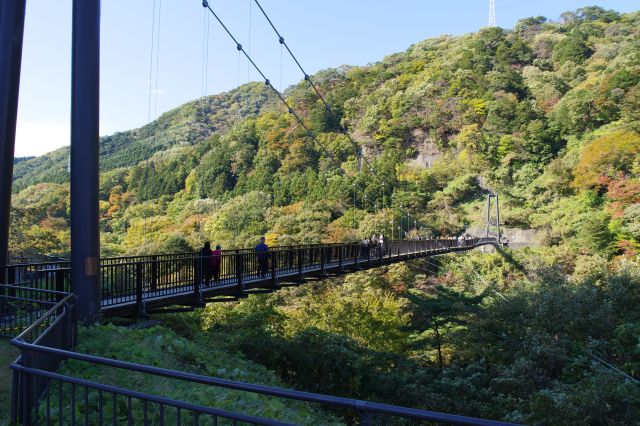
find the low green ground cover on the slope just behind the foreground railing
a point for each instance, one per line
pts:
(159, 346)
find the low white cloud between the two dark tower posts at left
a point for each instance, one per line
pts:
(40, 137)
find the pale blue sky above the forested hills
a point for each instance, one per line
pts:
(321, 33)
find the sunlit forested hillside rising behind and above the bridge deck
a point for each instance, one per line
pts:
(546, 114)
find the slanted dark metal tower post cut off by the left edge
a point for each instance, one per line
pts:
(11, 34)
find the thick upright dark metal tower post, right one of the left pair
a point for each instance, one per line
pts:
(85, 95)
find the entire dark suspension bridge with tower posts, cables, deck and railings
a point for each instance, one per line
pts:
(43, 302)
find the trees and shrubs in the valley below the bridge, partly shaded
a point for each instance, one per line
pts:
(515, 342)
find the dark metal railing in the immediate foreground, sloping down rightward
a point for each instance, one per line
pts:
(71, 400)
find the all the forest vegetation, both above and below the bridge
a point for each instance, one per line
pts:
(547, 114)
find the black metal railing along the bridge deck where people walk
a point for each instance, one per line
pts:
(132, 282)
